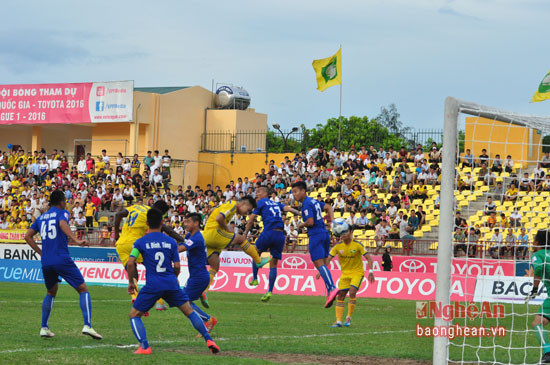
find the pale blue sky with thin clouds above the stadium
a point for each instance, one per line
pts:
(411, 53)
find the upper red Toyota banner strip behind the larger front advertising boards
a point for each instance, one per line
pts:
(420, 264)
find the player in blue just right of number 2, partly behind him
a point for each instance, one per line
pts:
(199, 278)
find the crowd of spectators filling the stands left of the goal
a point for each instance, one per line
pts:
(107, 183)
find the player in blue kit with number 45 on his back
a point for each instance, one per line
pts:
(55, 232)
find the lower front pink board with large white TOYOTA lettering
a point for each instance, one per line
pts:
(393, 285)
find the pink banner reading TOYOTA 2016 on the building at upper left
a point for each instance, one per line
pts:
(89, 102)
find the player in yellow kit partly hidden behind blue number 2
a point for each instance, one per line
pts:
(133, 229)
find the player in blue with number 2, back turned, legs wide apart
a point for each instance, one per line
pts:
(159, 252)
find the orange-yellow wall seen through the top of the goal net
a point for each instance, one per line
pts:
(522, 143)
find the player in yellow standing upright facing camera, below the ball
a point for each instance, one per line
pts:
(350, 252)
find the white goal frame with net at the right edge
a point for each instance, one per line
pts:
(501, 133)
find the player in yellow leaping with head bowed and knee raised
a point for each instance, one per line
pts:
(217, 235)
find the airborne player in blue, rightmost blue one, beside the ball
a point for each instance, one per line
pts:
(319, 238)
